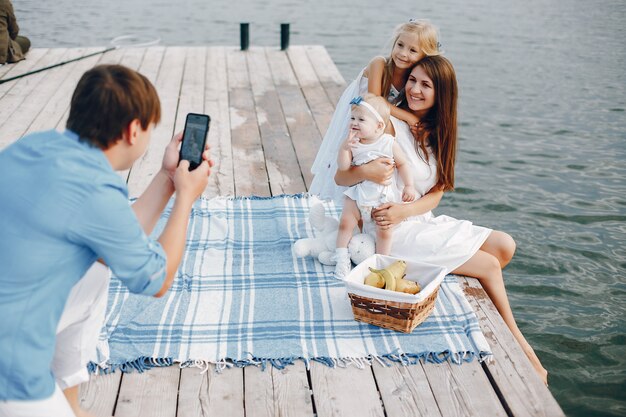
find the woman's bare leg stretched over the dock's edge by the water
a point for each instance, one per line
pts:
(486, 268)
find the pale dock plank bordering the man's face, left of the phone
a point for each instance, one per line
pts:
(168, 85)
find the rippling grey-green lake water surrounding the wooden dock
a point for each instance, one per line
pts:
(542, 150)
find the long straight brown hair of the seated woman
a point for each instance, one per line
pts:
(438, 129)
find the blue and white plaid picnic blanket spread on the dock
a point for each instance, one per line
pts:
(242, 298)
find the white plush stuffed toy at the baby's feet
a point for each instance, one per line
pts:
(323, 245)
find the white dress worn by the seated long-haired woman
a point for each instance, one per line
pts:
(439, 240)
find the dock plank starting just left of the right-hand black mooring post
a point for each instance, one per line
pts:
(303, 131)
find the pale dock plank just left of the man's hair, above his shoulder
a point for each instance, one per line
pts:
(37, 101)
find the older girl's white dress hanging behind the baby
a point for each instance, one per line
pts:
(325, 164)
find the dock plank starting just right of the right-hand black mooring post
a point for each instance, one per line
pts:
(319, 103)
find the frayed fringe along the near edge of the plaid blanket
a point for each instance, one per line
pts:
(145, 363)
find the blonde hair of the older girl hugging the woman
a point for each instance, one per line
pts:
(428, 43)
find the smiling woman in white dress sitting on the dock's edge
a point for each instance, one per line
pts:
(465, 249)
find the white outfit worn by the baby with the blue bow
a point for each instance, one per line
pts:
(368, 194)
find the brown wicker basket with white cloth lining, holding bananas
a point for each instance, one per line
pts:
(392, 310)
